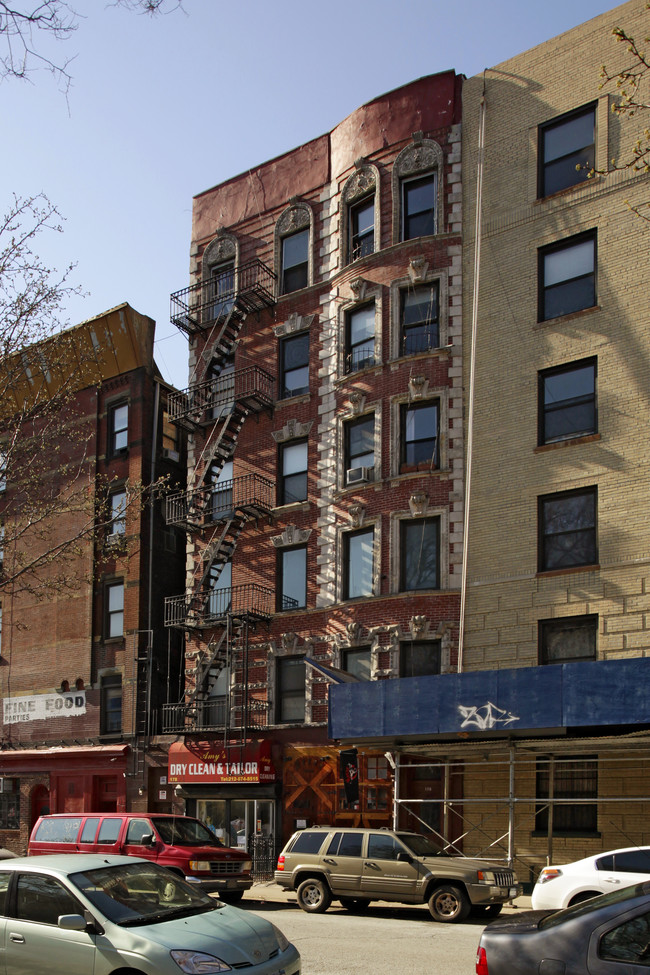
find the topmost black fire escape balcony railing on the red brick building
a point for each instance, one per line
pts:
(196, 307)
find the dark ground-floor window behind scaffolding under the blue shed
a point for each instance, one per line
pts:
(574, 778)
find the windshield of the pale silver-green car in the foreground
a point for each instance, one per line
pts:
(141, 893)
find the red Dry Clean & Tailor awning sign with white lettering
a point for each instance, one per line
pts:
(206, 764)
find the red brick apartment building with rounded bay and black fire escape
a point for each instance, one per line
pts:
(324, 504)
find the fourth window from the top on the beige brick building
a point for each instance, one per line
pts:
(567, 530)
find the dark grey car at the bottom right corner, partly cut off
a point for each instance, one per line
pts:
(606, 935)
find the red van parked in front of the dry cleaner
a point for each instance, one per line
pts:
(181, 843)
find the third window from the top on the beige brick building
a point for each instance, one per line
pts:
(567, 402)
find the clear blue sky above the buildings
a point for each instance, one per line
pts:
(162, 109)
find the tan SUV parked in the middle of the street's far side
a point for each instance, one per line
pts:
(356, 866)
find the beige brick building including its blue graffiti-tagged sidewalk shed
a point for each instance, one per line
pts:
(544, 728)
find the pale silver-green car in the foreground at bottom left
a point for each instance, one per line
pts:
(71, 914)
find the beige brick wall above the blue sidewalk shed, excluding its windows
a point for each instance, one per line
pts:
(506, 595)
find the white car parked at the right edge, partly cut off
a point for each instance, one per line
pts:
(570, 883)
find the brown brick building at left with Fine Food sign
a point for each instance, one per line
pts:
(86, 667)
